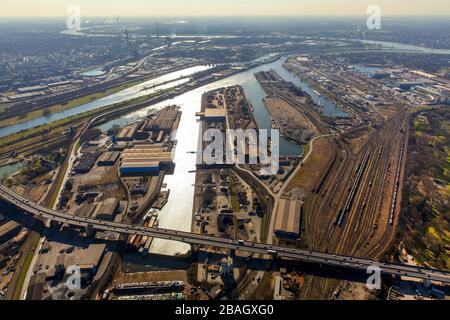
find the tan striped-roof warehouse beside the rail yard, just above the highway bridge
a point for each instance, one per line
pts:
(287, 224)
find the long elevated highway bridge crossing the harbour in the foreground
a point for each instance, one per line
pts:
(360, 264)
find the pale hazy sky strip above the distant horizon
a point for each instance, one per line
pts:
(89, 8)
